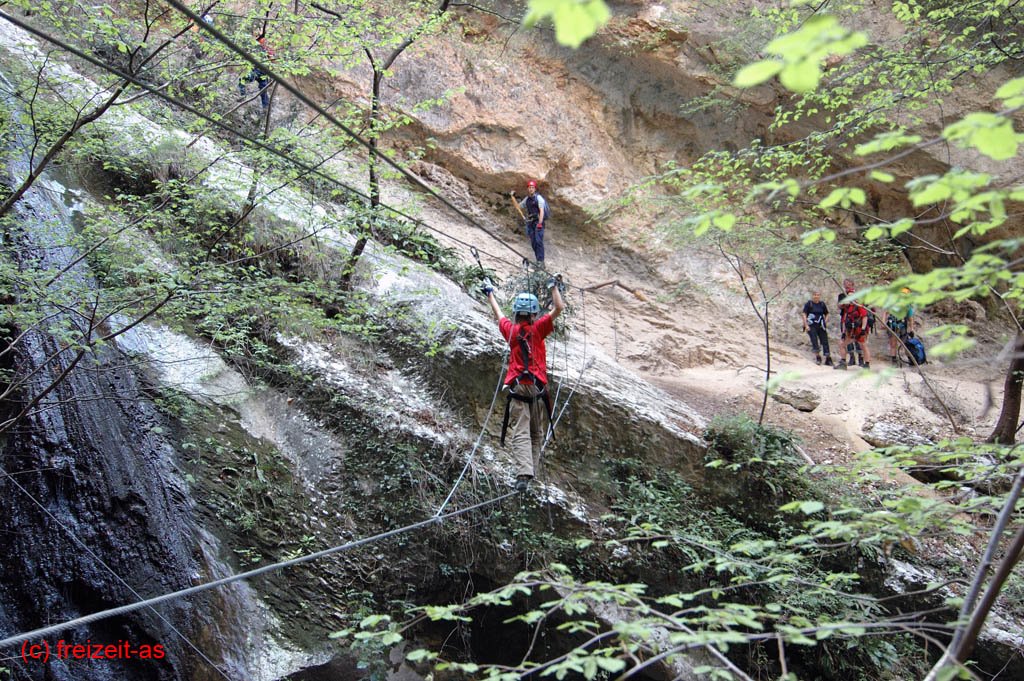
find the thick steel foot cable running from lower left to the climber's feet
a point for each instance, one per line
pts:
(124, 610)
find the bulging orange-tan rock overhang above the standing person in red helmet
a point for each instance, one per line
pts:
(584, 122)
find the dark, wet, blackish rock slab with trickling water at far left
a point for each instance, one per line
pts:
(92, 503)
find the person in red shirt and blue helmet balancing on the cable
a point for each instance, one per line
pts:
(527, 379)
